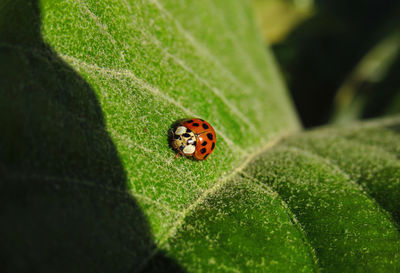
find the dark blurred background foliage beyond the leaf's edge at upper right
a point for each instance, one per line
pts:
(340, 58)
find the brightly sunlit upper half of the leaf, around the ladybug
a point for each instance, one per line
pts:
(149, 67)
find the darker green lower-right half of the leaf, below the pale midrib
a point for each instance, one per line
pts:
(326, 200)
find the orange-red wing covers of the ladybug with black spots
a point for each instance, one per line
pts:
(205, 137)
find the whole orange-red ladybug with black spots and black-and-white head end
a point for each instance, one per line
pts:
(194, 137)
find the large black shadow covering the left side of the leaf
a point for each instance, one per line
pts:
(65, 204)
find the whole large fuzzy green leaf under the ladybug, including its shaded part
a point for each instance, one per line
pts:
(88, 93)
